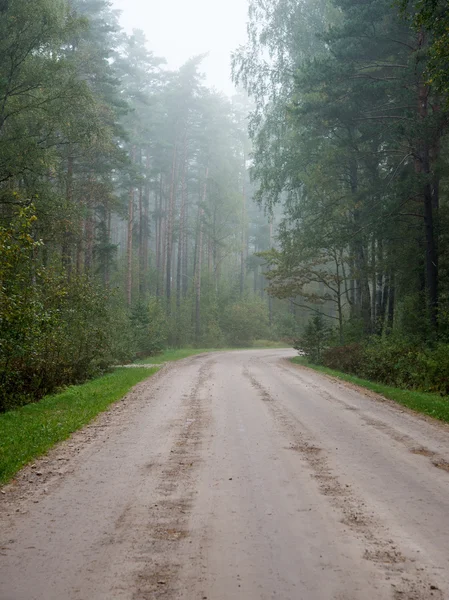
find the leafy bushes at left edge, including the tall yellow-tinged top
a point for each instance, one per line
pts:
(54, 331)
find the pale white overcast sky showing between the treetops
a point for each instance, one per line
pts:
(180, 29)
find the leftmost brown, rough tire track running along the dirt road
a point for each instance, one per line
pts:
(167, 526)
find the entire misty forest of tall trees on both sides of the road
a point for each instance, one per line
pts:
(141, 210)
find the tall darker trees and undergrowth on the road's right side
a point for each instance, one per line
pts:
(351, 142)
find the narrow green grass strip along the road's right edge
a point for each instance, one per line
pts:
(432, 405)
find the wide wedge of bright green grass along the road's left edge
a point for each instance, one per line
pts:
(30, 431)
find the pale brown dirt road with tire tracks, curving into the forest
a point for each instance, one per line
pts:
(235, 475)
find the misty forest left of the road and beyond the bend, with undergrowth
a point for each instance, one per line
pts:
(127, 218)
